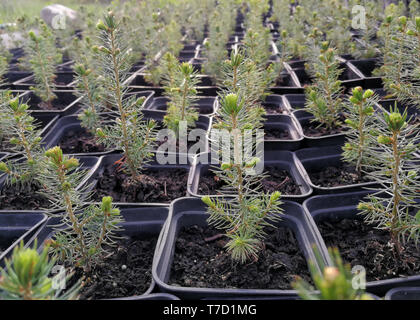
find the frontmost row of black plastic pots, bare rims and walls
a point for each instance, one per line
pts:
(145, 221)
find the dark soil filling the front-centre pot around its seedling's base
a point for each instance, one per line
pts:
(206, 264)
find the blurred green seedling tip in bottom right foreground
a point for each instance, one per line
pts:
(332, 282)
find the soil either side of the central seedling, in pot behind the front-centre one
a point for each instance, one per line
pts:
(277, 180)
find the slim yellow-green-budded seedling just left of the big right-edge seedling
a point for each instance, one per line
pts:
(359, 116)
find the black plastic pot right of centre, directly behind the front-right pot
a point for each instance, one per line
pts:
(316, 159)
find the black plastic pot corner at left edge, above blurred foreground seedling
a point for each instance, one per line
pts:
(17, 226)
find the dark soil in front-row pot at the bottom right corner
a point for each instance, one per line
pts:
(362, 244)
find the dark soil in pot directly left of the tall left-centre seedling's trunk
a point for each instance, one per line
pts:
(76, 141)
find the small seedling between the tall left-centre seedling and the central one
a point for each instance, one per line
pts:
(182, 97)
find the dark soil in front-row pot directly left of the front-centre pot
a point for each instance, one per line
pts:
(127, 272)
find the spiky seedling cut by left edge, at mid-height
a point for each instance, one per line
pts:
(24, 139)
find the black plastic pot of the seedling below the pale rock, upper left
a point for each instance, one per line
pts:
(65, 98)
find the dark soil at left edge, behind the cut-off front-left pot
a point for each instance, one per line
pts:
(22, 197)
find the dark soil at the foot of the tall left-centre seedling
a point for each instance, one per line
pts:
(157, 185)
